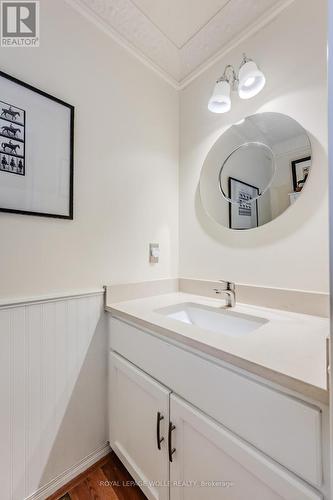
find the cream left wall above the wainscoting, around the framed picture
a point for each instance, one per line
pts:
(126, 165)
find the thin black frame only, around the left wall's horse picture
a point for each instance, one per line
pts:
(71, 108)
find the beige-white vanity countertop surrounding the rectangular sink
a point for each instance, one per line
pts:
(290, 349)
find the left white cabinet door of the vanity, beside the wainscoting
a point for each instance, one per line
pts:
(138, 414)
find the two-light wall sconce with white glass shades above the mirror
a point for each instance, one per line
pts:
(249, 82)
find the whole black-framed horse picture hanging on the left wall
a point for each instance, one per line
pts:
(36, 151)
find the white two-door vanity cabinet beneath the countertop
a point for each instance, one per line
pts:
(151, 378)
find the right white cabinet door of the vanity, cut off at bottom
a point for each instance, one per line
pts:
(210, 463)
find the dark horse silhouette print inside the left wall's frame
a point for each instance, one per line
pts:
(12, 139)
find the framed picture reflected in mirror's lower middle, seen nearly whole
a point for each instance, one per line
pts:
(243, 213)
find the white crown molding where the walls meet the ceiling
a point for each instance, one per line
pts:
(181, 83)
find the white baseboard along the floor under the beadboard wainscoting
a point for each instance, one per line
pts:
(66, 476)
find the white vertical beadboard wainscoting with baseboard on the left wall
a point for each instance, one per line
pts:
(53, 371)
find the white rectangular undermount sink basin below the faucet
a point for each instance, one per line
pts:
(223, 321)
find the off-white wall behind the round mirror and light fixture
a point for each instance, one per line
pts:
(292, 251)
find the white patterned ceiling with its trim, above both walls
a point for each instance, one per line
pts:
(179, 38)
